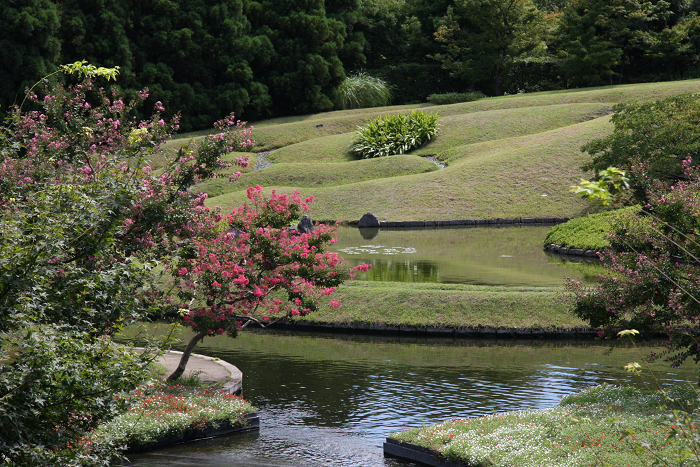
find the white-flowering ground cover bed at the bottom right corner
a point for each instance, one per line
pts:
(601, 426)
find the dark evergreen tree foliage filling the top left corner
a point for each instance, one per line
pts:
(29, 45)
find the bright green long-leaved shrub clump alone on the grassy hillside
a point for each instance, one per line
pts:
(395, 134)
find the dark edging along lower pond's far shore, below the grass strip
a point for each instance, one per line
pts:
(434, 331)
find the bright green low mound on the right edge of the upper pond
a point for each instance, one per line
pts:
(590, 232)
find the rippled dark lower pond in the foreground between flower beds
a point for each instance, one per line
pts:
(331, 400)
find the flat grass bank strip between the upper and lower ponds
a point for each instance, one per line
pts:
(449, 305)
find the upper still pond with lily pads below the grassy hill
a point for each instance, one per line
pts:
(505, 256)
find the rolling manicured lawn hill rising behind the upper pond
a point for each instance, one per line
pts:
(511, 156)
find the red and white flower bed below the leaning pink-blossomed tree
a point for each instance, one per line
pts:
(161, 411)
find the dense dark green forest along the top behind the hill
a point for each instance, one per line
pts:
(265, 58)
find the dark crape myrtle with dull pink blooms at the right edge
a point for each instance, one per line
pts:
(654, 283)
